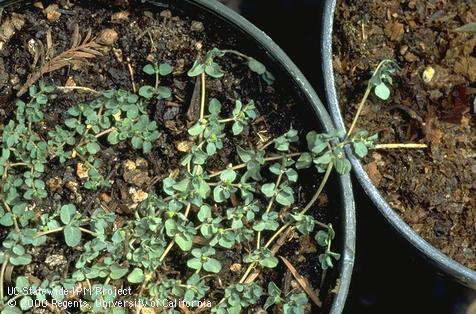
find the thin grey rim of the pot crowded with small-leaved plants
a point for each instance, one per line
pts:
(345, 187)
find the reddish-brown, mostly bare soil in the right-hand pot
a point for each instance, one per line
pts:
(432, 189)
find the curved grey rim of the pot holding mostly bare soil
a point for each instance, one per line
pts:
(448, 266)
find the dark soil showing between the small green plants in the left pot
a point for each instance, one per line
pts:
(144, 34)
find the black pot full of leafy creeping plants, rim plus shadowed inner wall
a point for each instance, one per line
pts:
(257, 43)
